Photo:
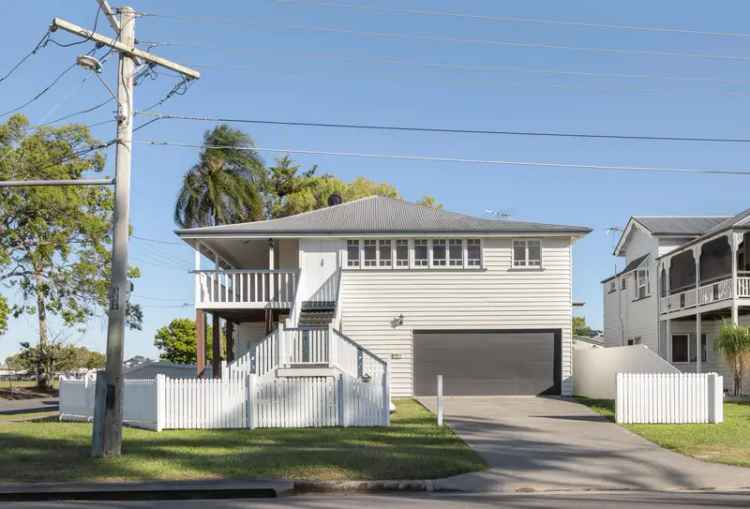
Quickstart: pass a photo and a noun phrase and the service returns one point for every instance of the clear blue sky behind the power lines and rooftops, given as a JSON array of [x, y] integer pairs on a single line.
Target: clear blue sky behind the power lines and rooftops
[[299, 60]]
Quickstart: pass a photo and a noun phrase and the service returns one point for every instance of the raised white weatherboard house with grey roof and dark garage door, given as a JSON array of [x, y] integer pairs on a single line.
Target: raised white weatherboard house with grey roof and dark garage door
[[487, 303]]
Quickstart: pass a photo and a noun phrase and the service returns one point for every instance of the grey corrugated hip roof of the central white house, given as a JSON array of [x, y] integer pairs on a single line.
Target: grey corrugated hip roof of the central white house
[[379, 215]]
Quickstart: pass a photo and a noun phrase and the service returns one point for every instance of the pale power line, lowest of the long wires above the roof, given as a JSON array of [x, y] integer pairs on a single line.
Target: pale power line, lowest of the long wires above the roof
[[491, 162]]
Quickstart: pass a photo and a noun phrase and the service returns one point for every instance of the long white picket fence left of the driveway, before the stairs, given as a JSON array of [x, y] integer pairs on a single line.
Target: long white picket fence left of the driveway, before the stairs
[[241, 401]]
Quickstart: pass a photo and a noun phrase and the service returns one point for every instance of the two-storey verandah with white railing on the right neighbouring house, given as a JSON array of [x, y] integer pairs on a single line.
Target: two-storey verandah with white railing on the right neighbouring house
[[701, 284]]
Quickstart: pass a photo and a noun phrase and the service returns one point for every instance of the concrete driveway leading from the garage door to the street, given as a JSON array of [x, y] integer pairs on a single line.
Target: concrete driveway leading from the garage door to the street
[[540, 444]]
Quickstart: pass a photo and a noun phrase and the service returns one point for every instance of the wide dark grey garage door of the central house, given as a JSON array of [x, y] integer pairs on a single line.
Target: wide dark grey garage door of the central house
[[483, 363]]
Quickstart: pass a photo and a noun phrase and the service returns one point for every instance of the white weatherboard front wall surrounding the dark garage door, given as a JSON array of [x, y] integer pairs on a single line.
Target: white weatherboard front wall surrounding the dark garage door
[[494, 296]]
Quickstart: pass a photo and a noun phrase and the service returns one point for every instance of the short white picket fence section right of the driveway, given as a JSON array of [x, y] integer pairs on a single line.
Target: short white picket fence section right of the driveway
[[667, 398]]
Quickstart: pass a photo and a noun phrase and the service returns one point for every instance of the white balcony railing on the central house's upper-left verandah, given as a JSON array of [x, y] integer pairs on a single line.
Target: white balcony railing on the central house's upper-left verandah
[[246, 288]]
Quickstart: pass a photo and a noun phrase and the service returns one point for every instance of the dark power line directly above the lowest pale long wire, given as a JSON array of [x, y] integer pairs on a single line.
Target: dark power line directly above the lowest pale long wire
[[554, 134]]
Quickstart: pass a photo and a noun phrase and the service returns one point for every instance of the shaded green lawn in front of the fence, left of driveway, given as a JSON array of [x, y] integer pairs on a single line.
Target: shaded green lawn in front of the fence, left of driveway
[[412, 448]]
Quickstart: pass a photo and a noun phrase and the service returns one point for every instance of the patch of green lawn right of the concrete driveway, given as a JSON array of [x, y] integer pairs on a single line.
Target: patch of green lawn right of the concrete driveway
[[728, 442]]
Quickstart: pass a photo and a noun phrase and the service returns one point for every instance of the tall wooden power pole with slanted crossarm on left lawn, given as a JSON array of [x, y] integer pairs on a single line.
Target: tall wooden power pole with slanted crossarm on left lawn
[[107, 435]]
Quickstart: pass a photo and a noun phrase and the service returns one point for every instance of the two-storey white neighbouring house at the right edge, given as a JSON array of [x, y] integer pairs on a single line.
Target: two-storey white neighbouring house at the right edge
[[683, 276]]
